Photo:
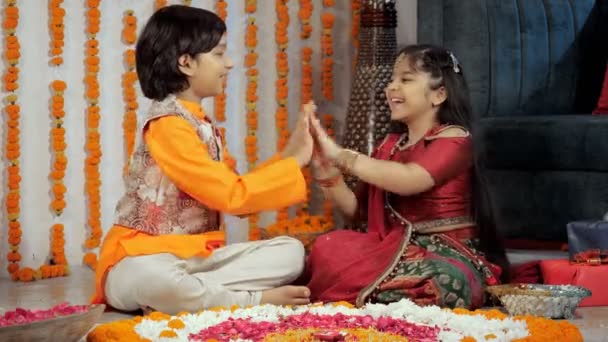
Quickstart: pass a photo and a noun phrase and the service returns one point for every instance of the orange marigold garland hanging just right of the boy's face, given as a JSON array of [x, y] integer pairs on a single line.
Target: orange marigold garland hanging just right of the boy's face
[[251, 41]]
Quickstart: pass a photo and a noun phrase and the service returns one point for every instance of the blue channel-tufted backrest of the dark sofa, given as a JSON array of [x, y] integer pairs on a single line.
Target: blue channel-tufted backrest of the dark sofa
[[523, 58]]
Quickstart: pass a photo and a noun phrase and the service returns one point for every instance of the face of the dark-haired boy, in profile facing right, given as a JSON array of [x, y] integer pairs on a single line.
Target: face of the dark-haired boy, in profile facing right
[[207, 72]]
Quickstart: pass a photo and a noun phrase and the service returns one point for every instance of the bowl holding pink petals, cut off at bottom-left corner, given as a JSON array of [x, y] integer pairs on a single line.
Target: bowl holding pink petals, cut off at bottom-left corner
[[69, 328]]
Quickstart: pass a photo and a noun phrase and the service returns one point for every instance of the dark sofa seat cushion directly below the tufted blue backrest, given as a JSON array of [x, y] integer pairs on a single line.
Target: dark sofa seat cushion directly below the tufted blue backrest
[[560, 143]]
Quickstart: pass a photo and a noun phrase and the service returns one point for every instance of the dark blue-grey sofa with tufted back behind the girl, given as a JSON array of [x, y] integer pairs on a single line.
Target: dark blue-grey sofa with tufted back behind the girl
[[535, 70]]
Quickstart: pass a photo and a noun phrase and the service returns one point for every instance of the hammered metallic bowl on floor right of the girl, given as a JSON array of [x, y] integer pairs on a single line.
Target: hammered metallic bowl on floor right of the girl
[[550, 301]]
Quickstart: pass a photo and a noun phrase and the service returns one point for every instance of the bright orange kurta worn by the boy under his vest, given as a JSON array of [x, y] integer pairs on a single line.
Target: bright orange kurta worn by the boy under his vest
[[180, 154]]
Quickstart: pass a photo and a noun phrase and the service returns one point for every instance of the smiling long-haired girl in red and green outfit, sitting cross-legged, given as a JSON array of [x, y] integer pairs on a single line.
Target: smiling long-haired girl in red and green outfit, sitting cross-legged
[[431, 235]]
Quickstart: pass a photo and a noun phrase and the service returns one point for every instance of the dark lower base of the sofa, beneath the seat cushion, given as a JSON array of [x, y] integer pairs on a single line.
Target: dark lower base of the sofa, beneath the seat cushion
[[537, 205]]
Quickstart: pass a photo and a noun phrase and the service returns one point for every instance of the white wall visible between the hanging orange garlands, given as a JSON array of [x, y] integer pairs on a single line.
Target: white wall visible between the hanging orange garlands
[[35, 77]]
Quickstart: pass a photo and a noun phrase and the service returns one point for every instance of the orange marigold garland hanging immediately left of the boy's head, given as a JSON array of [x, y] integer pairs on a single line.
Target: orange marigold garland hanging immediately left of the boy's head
[[129, 79]]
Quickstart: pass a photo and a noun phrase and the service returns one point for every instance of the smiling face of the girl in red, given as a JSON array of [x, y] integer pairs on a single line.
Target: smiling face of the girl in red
[[410, 92]]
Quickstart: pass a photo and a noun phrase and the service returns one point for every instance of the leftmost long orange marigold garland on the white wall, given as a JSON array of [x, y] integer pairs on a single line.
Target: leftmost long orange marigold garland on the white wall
[[12, 110]]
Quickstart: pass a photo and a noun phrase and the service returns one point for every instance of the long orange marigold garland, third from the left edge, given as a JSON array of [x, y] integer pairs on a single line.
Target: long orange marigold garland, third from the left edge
[[93, 147]]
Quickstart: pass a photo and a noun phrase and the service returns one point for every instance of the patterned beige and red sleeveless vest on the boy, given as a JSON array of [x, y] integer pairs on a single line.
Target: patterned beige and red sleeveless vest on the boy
[[152, 203]]
